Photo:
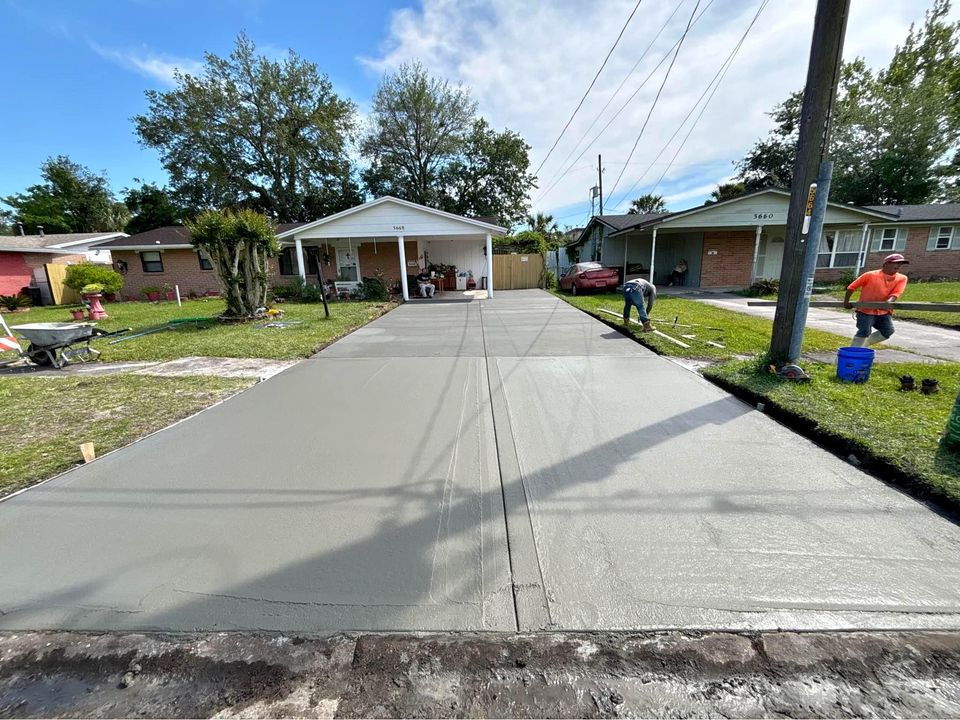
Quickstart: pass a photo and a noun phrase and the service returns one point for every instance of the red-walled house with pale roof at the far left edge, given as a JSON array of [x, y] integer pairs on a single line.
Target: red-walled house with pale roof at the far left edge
[[23, 257]]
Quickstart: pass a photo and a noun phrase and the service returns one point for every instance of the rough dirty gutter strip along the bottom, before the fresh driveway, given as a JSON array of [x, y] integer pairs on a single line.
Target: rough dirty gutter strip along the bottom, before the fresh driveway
[[670, 675]]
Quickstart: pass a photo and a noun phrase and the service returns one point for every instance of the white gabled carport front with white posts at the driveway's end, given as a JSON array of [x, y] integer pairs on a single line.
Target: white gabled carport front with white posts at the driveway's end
[[376, 227]]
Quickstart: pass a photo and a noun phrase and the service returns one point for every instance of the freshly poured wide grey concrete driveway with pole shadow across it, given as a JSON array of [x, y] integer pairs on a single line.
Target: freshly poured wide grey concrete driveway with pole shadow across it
[[498, 465]]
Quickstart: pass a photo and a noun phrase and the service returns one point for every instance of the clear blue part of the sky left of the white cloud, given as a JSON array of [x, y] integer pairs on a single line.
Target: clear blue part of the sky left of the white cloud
[[72, 82]]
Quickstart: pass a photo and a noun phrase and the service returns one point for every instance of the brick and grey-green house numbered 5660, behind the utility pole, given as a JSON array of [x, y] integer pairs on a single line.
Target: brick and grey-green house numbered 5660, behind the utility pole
[[733, 242]]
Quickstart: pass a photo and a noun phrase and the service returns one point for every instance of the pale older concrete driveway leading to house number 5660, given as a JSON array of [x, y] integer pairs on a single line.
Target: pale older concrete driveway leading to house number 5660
[[924, 340]]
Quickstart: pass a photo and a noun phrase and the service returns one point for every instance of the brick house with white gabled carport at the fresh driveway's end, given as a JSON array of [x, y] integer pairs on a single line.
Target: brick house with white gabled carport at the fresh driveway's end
[[386, 236]]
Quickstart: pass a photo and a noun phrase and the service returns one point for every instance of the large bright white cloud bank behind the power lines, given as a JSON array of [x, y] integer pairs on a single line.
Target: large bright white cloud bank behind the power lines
[[528, 63]]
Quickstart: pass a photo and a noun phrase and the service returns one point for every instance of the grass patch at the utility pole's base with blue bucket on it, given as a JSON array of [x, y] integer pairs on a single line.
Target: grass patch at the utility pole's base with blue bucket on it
[[902, 429]]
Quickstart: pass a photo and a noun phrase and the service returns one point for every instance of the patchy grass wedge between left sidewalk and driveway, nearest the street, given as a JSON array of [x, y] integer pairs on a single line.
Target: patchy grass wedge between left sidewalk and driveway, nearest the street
[[44, 420]]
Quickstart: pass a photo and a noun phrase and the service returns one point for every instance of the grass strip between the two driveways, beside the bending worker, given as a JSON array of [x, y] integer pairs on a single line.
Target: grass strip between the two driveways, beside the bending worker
[[739, 334]]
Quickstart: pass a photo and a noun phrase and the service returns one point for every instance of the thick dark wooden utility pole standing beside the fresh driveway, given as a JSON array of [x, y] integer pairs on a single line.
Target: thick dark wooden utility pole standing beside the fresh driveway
[[823, 73]]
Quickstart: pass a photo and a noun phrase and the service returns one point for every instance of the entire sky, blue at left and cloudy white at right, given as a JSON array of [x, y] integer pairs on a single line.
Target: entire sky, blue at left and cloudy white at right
[[76, 72]]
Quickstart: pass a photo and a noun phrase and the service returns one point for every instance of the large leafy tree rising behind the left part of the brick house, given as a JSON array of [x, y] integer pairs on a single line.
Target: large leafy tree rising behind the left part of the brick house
[[257, 133]]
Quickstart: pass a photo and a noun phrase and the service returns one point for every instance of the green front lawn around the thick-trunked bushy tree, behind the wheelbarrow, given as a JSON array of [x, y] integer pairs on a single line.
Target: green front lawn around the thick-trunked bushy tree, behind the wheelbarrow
[[216, 339]]
